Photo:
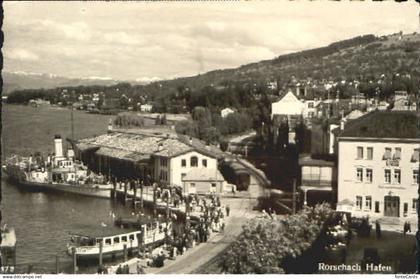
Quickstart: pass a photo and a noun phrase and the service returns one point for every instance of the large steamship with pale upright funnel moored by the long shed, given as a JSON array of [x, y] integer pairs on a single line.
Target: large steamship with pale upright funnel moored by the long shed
[[59, 173]]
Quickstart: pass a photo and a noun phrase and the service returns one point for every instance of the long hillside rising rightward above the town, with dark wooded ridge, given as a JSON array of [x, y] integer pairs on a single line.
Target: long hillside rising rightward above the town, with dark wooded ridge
[[358, 58]]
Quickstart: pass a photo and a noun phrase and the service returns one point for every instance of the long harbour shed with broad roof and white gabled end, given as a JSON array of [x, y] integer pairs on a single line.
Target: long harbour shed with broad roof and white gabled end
[[151, 154]]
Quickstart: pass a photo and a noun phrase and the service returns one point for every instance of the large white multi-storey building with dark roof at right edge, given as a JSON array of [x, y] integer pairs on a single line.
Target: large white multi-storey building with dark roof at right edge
[[378, 165]]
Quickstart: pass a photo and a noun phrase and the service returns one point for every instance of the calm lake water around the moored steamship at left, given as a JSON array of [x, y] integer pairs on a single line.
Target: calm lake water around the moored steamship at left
[[43, 221]]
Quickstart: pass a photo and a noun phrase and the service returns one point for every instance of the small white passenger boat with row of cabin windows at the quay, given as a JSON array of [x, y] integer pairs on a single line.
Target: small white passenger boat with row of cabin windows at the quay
[[87, 247]]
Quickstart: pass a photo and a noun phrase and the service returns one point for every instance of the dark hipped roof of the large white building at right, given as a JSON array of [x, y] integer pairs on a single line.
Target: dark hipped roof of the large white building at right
[[384, 124]]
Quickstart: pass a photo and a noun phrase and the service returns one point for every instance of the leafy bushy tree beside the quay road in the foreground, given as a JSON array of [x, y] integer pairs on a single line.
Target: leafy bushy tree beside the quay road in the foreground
[[266, 243]]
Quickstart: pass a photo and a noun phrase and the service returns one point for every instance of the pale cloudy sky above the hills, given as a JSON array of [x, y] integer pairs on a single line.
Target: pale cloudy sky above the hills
[[146, 41]]
